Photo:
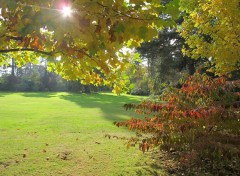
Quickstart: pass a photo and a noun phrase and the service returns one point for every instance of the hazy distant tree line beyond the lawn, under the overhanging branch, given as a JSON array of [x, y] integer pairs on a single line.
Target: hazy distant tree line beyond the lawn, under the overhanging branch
[[35, 77]]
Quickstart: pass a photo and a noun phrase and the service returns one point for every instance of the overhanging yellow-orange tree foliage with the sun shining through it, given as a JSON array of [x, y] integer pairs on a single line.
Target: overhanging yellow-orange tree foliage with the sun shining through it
[[89, 38]]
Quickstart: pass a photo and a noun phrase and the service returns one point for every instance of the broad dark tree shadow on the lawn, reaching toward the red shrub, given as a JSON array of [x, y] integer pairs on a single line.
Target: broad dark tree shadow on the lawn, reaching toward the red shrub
[[111, 105]]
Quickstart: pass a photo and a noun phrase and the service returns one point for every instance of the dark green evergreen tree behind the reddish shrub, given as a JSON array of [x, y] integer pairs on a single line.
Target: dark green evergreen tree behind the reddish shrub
[[166, 64]]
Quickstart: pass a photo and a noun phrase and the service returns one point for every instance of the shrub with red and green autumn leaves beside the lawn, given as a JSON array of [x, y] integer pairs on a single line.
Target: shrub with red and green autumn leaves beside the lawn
[[182, 116]]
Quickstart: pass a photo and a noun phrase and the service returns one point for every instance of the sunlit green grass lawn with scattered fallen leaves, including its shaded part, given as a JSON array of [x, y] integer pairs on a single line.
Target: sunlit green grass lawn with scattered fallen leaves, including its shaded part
[[51, 134]]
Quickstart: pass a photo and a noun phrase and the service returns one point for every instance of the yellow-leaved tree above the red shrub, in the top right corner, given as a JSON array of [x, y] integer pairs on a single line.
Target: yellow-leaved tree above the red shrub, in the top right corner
[[211, 29]]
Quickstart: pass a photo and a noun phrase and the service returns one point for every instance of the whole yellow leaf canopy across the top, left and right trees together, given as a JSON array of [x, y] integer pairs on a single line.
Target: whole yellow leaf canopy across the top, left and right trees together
[[86, 44]]
